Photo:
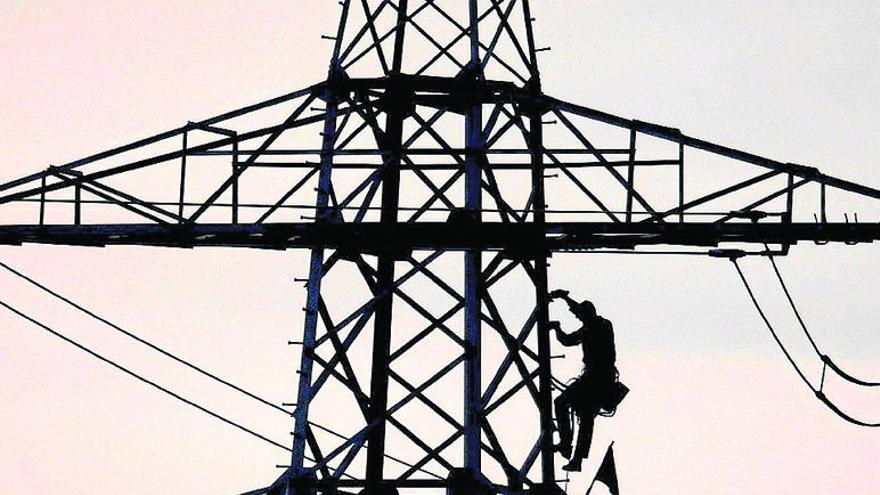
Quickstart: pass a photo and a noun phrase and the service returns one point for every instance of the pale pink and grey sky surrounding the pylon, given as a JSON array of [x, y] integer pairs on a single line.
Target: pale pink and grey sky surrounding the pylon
[[714, 409]]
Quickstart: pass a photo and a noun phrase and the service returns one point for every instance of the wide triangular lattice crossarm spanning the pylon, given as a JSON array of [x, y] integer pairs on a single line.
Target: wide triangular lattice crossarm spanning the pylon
[[98, 200]]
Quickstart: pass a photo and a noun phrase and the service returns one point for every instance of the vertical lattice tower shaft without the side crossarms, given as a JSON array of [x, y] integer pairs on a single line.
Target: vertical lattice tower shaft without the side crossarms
[[393, 89]]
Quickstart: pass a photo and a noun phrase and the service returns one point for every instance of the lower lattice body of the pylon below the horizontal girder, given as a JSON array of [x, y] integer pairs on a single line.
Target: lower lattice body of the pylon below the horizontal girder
[[512, 387]]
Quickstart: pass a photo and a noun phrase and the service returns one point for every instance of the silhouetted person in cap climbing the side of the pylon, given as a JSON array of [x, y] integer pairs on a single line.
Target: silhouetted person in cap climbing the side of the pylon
[[596, 389]]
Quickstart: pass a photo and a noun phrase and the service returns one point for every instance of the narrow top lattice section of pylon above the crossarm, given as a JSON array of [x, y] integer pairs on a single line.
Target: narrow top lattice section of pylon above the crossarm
[[378, 38]]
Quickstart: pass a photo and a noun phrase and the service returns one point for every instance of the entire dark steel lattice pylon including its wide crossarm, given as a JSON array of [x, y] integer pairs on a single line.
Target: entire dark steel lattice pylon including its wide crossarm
[[438, 162]]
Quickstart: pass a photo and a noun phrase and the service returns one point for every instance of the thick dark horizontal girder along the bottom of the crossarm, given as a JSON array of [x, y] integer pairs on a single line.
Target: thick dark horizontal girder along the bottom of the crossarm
[[525, 239]]
